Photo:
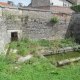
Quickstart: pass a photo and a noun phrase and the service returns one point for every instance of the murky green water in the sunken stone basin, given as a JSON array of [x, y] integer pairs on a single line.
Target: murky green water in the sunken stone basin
[[58, 57]]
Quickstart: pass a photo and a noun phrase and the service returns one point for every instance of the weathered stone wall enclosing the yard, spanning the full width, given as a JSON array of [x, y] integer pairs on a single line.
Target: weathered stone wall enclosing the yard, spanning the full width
[[38, 25]]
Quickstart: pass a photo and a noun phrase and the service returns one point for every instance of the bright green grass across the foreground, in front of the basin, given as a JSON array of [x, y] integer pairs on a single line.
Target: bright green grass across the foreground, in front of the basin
[[37, 68]]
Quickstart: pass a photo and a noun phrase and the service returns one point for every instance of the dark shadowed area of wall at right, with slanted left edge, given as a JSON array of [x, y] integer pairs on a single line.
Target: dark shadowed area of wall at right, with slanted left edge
[[74, 27]]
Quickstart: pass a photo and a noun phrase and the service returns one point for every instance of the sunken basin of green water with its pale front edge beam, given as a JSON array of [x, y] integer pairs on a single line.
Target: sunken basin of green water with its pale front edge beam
[[64, 58]]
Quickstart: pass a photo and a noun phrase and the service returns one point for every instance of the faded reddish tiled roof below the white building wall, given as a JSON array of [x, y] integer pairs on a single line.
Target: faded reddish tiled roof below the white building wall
[[61, 9]]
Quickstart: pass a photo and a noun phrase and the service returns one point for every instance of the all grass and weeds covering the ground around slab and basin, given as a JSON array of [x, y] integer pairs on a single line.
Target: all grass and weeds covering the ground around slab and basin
[[38, 67]]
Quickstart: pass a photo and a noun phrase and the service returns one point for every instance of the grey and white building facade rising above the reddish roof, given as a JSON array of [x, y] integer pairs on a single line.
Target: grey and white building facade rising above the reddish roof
[[37, 3]]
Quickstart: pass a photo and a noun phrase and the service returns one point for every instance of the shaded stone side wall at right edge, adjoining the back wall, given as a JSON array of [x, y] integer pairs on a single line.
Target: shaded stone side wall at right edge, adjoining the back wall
[[75, 26]]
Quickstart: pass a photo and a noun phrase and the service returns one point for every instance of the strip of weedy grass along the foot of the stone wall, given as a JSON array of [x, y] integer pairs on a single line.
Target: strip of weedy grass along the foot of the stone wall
[[25, 46]]
